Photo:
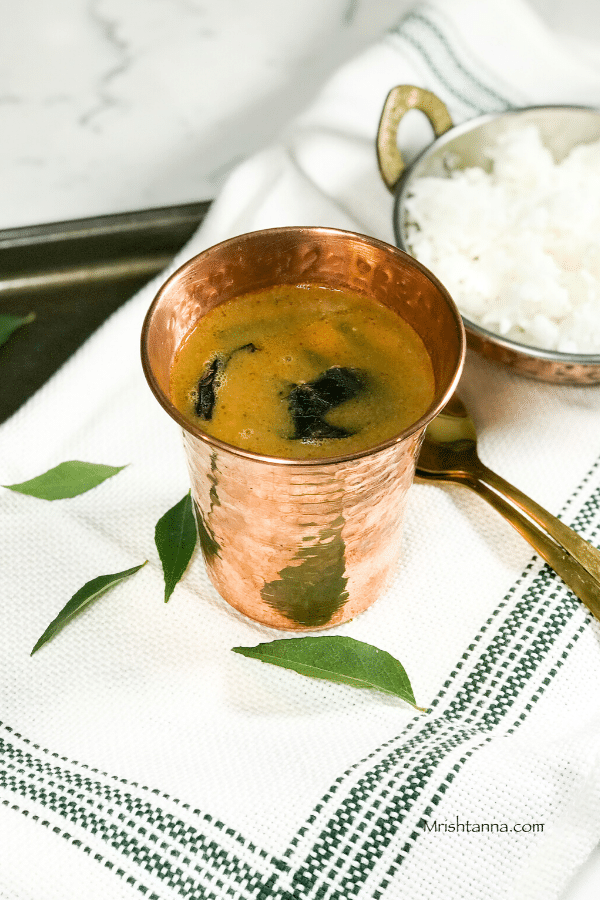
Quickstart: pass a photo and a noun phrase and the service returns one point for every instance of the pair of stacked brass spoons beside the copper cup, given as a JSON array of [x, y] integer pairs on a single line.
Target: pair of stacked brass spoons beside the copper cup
[[449, 453]]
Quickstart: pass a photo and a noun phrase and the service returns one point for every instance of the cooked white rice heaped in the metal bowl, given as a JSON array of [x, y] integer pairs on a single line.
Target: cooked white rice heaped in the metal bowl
[[518, 248]]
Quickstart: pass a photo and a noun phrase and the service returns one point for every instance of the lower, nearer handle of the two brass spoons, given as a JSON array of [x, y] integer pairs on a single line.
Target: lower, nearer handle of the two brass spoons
[[583, 584]]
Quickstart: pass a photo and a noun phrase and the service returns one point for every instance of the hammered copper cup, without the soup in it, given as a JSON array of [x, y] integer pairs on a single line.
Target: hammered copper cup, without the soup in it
[[301, 545]]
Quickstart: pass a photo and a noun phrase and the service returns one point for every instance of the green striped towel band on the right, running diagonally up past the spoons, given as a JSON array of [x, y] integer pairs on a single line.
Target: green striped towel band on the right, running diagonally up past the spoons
[[530, 636]]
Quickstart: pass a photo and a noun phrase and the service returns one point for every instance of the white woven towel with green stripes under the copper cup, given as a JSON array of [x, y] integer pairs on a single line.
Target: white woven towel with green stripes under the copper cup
[[140, 757]]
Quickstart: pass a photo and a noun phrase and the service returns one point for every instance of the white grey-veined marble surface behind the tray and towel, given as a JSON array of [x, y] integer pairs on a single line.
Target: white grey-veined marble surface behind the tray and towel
[[115, 105]]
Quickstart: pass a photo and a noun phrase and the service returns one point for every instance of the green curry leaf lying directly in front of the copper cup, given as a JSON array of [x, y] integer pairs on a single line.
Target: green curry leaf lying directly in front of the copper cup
[[340, 659]]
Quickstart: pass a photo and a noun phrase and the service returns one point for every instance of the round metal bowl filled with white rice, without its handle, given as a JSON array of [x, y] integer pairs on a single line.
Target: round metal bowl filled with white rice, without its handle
[[505, 211]]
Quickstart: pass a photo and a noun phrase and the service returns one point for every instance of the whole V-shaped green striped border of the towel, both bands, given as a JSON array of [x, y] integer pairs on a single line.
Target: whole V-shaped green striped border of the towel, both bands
[[155, 842]]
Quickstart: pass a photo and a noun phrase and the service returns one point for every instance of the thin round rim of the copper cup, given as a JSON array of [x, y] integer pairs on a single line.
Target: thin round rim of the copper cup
[[421, 422]]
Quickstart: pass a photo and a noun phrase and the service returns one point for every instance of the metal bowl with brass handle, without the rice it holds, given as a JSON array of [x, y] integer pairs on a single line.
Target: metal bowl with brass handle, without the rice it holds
[[561, 127]]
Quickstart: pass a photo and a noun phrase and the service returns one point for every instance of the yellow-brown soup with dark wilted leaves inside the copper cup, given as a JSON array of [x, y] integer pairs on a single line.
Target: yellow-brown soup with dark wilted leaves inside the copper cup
[[302, 372]]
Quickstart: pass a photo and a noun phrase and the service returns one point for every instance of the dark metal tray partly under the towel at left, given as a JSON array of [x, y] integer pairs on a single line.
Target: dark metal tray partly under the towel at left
[[73, 275]]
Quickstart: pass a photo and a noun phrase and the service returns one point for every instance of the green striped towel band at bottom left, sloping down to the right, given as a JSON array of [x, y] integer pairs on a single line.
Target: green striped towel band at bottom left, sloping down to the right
[[142, 834]]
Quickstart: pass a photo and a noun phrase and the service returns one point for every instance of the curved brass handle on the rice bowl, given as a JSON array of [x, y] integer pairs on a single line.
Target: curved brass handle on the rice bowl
[[398, 102]]
